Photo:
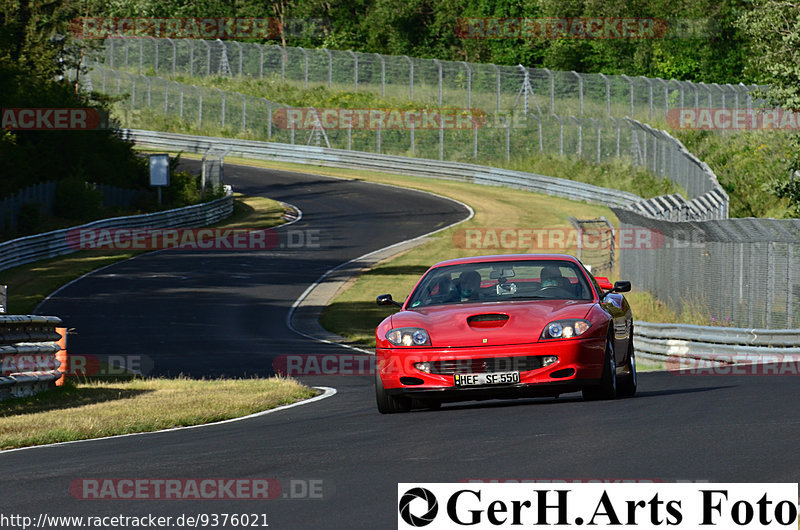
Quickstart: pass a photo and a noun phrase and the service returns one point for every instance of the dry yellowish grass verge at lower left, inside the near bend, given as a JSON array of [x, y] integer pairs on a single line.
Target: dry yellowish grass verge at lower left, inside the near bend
[[94, 409]]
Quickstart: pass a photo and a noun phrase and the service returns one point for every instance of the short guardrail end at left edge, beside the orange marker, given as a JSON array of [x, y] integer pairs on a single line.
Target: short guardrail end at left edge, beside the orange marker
[[28, 348]]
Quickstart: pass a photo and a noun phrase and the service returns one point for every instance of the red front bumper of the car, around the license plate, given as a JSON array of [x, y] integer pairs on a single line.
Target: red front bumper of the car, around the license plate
[[579, 363]]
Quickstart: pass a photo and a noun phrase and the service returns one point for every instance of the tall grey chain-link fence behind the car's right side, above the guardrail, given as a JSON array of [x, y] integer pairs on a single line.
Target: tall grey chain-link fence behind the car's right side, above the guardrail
[[744, 272]]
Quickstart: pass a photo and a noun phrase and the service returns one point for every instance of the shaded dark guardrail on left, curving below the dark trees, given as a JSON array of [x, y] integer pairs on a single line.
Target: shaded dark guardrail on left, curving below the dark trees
[[51, 244]]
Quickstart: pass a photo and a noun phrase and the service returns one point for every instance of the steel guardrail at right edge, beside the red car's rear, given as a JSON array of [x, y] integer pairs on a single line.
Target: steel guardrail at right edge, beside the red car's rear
[[723, 345]]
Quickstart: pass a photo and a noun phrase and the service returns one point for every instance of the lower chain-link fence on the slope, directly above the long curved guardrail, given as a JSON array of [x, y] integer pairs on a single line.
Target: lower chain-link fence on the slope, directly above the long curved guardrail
[[492, 139]]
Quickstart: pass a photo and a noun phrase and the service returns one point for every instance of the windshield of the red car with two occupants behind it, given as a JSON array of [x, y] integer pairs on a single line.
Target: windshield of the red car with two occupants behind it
[[500, 281]]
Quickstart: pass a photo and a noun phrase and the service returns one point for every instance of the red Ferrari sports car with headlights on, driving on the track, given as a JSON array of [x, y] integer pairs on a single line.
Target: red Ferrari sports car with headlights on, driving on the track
[[502, 327]]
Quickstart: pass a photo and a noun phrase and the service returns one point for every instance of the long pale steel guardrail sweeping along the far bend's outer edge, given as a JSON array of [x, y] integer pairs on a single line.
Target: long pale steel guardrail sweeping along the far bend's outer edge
[[303, 154]]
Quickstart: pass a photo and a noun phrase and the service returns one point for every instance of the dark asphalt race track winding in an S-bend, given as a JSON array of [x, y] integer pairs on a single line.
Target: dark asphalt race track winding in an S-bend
[[209, 313]]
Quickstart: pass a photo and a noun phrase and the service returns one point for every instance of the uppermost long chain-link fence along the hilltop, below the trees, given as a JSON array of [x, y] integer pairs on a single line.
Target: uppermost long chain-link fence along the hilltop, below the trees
[[490, 87]]
